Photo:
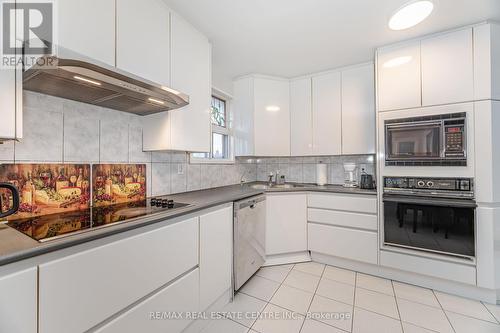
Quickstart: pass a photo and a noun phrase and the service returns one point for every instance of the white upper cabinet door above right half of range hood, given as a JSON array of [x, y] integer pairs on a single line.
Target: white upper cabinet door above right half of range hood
[[143, 39]]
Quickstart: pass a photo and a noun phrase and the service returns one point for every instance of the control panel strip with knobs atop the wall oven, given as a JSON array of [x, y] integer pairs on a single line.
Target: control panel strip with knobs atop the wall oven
[[432, 184]]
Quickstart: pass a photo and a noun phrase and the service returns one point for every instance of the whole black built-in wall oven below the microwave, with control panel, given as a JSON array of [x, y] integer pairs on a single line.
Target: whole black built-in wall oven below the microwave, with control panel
[[430, 214]]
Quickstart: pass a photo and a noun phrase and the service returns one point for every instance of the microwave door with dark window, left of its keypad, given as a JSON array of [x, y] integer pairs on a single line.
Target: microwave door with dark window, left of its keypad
[[415, 141]]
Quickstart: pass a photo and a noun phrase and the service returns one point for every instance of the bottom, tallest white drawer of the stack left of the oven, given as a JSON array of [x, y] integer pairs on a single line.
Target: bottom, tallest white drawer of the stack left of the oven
[[345, 243]]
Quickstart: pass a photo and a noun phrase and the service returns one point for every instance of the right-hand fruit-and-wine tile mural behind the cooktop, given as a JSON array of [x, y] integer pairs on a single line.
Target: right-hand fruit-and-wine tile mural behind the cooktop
[[118, 183]]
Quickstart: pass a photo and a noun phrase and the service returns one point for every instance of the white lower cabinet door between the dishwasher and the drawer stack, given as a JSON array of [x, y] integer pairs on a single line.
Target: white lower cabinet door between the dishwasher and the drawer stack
[[286, 223]]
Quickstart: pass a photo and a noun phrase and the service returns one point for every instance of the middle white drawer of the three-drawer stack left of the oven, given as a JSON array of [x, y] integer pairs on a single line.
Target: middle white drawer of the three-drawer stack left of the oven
[[342, 219]]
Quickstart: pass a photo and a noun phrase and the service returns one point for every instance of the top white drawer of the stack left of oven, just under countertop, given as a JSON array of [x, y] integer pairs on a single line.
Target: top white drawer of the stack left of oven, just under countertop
[[353, 203]]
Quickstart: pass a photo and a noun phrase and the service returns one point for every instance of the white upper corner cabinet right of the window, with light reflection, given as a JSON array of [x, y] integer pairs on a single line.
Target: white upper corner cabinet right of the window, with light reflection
[[266, 100]]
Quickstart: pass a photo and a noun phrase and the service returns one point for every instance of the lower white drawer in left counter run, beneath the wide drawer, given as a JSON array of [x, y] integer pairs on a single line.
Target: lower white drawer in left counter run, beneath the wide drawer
[[180, 297]]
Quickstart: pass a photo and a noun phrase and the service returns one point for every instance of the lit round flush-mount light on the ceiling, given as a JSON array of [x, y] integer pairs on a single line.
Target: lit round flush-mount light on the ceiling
[[411, 14]]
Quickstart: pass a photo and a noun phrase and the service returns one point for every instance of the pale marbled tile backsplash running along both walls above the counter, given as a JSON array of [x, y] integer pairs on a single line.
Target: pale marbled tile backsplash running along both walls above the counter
[[60, 130]]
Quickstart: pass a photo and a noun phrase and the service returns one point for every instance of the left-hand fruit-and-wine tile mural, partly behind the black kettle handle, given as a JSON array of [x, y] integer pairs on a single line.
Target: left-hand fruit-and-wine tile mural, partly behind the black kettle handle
[[48, 188]]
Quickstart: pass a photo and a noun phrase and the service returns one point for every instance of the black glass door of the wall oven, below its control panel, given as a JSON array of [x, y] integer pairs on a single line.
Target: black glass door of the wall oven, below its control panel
[[445, 226]]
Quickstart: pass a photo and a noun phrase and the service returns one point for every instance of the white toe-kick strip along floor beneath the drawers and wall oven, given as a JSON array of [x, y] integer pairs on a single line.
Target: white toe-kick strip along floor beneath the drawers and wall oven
[[464, 290]]
